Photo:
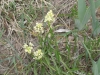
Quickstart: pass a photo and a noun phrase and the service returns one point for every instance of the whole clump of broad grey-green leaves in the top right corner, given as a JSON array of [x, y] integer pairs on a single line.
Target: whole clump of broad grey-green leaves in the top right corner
[[84, 14]]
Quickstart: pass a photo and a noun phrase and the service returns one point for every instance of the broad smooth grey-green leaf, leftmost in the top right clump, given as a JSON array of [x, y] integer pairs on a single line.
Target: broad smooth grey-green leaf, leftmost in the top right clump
[[83, 15]]
